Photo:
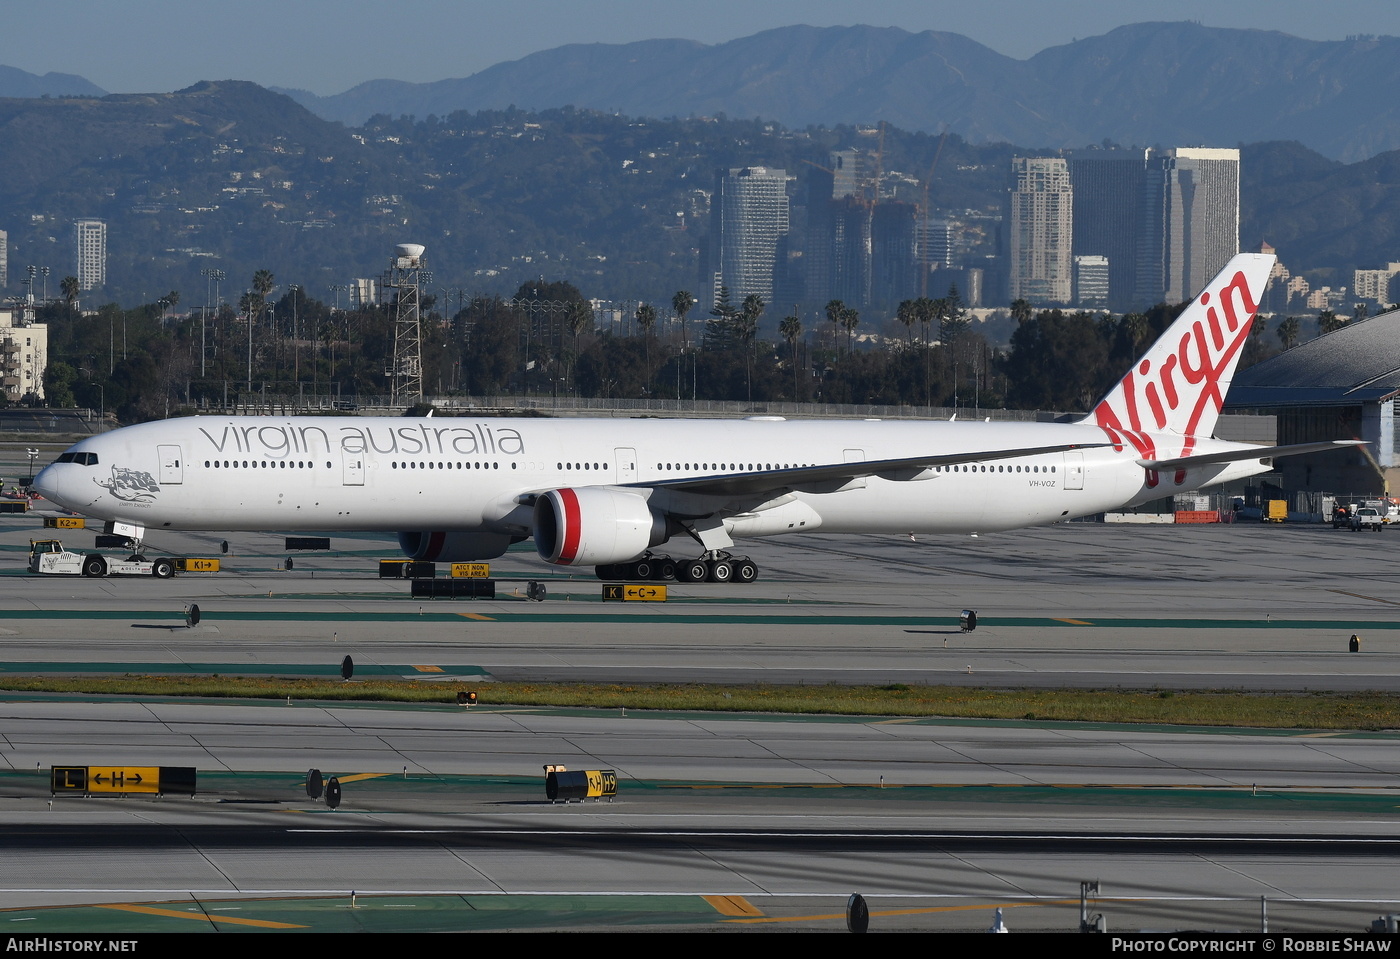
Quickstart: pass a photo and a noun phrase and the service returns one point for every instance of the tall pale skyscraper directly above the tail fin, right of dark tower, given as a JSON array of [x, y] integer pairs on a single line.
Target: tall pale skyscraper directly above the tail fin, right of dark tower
[[1191, 222]]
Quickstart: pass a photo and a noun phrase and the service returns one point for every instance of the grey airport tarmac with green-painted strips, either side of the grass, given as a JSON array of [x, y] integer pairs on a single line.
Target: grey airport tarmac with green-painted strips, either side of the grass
[[776, 820]]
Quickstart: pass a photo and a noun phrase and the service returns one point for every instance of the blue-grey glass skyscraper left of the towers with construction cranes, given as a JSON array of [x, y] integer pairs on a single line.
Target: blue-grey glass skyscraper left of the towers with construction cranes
[[750, 216]]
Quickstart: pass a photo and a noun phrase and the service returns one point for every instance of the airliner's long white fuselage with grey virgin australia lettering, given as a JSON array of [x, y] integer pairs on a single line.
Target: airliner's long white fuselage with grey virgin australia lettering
[[381, 474]]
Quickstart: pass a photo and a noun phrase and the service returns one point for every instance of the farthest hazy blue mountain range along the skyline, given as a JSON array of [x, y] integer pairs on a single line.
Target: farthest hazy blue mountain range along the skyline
[[1144, 85]]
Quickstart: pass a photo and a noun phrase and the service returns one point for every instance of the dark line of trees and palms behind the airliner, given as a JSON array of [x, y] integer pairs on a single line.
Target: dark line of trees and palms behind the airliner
[[148, 363]]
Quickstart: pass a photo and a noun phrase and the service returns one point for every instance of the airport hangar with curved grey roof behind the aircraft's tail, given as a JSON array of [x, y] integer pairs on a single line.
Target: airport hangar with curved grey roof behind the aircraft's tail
[[1342, 386]]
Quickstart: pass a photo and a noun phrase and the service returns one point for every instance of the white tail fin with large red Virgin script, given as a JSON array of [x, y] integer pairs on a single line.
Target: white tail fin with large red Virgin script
[[1179, 387]]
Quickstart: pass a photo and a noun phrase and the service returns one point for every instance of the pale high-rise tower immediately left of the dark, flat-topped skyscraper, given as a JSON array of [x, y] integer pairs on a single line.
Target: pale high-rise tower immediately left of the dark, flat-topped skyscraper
[[1042, 230]]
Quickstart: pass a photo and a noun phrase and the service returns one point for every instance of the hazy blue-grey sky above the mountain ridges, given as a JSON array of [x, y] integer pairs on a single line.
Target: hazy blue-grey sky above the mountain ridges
[[331, 45]]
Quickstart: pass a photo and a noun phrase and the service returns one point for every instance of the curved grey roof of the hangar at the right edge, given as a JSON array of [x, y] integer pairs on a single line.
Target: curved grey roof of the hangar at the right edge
[[1353, 366]]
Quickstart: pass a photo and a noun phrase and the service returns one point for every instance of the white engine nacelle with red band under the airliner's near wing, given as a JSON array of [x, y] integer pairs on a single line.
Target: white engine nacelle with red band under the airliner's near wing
[[594, 526]]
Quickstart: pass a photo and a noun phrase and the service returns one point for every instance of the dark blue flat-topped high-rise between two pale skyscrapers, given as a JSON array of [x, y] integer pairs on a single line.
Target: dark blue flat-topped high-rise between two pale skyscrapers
[[1108, 206]]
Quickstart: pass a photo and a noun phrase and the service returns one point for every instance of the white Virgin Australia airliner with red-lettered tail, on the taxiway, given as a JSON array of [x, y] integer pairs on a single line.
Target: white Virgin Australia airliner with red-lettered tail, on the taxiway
[[610, 492]]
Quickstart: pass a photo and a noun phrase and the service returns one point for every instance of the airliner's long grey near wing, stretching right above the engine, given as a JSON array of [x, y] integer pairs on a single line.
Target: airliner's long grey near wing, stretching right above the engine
[[827, 478]]
